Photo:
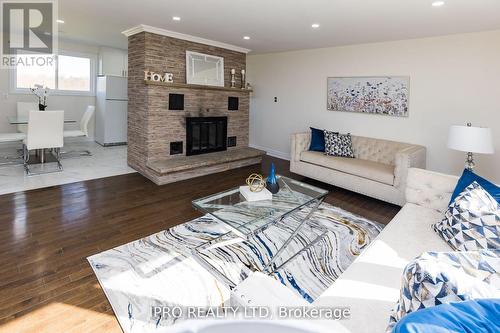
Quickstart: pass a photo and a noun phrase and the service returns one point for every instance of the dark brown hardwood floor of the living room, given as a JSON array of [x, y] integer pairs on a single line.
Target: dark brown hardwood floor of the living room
[[46, 284]]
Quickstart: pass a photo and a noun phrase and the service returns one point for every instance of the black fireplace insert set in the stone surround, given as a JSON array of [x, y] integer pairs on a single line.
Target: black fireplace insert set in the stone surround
[[205, 135]]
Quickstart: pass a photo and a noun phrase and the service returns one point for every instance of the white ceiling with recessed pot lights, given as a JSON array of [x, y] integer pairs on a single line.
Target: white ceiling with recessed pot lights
[[277, 25]]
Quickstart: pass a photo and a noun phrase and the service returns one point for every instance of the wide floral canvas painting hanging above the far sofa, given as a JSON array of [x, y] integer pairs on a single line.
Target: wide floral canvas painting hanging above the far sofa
[[385, 95]]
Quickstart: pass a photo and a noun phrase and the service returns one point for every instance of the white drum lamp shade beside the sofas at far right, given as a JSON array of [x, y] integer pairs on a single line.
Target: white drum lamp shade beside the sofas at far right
[[471, 139]]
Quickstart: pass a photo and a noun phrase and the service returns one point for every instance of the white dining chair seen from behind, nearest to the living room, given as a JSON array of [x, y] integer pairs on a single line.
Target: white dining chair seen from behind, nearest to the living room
[[45, 131]]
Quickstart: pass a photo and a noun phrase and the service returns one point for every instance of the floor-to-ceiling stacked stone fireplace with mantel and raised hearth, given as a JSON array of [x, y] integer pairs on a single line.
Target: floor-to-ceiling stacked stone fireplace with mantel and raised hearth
[[178, 130]]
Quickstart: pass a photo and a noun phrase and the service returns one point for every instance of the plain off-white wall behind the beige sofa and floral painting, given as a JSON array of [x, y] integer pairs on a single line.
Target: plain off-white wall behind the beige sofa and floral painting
[[453, 80]]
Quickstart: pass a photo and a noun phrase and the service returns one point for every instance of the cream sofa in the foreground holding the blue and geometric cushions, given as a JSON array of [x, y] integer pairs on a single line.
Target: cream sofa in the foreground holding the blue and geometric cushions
[[370, 286]]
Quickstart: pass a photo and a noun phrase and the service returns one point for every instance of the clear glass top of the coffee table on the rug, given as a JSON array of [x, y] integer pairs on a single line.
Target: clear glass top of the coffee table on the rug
[[245, 217]]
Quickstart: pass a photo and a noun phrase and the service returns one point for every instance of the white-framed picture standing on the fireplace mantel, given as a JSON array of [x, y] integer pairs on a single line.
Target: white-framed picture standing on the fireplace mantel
[[204, 69]]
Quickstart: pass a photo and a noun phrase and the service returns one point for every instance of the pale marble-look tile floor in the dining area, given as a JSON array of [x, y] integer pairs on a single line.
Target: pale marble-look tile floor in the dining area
[[104, 162]]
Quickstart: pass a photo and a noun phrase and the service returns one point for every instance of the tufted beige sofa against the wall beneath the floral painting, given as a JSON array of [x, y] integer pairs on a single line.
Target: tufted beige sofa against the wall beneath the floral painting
[[378, 170]]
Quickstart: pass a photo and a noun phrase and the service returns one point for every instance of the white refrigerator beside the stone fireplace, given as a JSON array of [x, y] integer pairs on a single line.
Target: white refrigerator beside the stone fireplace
[[111, 111]]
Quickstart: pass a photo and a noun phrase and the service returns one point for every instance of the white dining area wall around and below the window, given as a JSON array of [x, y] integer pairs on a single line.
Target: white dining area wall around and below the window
[[74, 106]]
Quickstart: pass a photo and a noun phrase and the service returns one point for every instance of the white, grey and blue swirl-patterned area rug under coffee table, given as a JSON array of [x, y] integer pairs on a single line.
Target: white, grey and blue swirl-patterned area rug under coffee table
[[159, 271]]
